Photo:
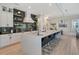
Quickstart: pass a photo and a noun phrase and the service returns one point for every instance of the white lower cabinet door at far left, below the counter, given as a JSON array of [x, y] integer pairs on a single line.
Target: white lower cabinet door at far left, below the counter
[[4, 40]]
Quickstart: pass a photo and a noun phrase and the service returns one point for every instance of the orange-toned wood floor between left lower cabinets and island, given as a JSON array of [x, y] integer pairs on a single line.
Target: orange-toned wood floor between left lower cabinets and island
[[14, 49]]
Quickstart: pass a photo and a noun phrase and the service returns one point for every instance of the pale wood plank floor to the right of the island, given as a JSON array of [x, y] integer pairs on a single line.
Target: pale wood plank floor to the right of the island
[[67, 46]]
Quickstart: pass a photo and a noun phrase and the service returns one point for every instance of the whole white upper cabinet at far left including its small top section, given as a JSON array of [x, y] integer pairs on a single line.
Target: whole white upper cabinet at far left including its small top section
[[6, 17]]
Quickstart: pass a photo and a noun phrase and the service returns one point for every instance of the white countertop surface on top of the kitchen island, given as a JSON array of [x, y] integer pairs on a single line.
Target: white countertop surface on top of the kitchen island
[[41, 34]]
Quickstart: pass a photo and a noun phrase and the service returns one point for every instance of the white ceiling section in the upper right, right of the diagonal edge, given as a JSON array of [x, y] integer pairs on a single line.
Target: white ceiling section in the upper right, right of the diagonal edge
[[70, 8]]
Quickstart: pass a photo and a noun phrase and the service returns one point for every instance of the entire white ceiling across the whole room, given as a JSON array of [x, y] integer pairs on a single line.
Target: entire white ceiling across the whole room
[[55, 9]]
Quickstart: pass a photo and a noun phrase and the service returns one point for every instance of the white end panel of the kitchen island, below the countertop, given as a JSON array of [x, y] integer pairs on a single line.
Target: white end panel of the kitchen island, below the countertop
[[31, 45]]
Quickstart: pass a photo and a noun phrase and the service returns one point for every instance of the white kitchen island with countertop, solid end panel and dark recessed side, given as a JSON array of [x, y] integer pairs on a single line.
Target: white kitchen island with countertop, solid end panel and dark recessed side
[[32, 43]]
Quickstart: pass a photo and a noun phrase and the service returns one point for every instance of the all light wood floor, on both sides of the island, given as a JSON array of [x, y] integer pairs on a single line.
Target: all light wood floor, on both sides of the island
[[68, 45]]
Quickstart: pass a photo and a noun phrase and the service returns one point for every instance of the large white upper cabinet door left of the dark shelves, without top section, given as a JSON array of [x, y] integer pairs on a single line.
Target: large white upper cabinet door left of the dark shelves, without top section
[[6, 19]]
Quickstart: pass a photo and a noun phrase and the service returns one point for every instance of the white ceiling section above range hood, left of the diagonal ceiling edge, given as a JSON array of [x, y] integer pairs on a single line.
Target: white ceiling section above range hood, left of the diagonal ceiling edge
[[44, 9]]
